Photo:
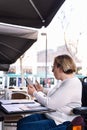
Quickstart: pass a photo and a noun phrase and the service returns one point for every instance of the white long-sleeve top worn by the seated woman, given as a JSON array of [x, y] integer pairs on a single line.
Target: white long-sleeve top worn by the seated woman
[[62, 98]]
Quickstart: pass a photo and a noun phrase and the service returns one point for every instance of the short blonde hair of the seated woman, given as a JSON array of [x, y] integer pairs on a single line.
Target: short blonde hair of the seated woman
[[66, 63]]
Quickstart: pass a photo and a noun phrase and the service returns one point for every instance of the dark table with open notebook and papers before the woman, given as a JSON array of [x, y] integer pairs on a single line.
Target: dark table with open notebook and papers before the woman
[[16, 107]]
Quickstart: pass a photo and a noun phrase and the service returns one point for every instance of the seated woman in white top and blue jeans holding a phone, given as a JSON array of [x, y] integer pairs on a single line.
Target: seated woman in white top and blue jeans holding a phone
[[65, 96]]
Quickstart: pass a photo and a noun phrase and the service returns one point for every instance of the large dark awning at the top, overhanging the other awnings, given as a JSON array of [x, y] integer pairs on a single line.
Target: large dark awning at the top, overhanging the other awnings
[[30, 13]]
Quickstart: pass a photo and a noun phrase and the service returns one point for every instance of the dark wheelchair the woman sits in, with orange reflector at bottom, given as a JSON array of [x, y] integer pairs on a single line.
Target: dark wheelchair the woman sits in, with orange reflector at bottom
[[80, 122]]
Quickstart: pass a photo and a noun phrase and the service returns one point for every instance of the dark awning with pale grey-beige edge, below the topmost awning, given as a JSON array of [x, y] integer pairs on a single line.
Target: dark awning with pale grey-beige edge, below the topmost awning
[[14, 41]]
